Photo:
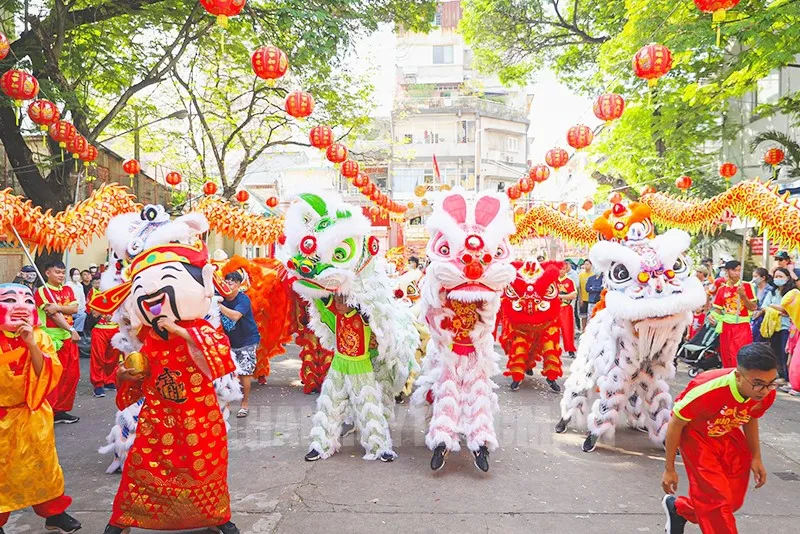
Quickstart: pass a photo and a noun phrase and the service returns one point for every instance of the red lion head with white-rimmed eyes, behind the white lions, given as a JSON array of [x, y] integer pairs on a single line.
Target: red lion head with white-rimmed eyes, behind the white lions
[[532, 298]]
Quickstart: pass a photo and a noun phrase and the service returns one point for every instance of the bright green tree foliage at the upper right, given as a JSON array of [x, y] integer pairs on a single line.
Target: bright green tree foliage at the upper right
[[678, 127]]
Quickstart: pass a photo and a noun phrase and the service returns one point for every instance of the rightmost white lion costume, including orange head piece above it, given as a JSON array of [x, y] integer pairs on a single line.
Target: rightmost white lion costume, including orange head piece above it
[[626, 356]]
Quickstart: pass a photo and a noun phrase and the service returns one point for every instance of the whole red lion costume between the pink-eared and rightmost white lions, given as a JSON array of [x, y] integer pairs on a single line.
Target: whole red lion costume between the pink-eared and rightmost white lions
[[529, 322]]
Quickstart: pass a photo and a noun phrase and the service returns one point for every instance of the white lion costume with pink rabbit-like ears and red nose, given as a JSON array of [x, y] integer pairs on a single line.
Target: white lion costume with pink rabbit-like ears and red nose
[[470, 265]]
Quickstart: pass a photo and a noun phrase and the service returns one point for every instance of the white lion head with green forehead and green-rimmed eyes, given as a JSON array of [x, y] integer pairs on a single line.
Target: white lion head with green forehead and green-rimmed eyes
[[327, 245]]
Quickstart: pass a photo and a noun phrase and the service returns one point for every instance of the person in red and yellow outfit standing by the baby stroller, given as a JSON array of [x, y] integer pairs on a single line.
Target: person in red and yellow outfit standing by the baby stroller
[[733, 303]]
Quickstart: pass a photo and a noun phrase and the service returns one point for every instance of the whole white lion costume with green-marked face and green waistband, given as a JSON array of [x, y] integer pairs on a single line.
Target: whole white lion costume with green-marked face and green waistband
[[332, 260]]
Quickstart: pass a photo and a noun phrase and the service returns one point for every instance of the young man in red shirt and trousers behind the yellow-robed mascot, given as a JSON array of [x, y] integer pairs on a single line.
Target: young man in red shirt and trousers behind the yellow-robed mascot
[[58, 303]]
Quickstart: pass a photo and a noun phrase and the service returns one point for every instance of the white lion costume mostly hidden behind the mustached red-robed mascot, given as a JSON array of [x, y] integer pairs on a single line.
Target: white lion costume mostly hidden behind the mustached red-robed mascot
[[130, 234]]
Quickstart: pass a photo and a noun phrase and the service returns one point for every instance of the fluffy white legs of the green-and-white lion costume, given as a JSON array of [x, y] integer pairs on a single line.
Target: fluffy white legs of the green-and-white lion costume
[[362, 394]]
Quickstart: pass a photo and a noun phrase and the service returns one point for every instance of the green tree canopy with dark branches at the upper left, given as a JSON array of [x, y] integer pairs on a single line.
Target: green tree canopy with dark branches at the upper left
[[98, 57]]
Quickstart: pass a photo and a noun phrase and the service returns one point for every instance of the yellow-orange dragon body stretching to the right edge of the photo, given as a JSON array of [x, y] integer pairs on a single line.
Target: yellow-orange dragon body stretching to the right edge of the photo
[[752, 199]]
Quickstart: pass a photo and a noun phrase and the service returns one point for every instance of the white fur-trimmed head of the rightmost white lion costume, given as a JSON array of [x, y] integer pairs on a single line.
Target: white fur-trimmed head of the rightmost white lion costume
[[648, 278]]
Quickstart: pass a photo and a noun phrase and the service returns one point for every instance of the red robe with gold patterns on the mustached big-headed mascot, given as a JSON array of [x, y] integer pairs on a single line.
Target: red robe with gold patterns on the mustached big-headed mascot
[[176, 476]]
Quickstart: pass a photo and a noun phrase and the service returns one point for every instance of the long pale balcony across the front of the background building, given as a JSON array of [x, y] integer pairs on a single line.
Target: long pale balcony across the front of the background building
[[461, 104]]
